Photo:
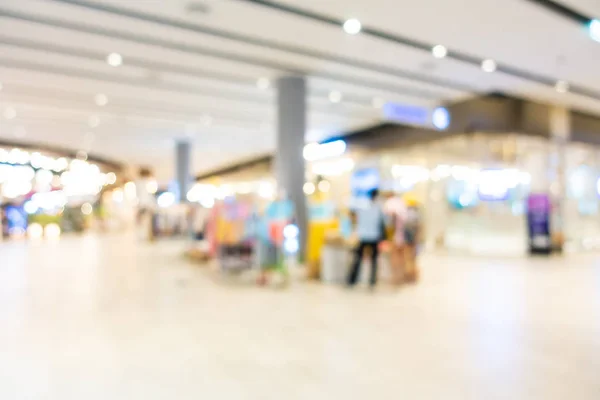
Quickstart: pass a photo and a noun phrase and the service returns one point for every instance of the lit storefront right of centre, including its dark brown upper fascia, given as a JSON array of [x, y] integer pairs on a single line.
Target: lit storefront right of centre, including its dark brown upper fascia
[[473, 180]]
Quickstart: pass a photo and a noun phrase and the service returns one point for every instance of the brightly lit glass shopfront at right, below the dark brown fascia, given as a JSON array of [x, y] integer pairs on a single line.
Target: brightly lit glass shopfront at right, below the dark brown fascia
[[474, 189]]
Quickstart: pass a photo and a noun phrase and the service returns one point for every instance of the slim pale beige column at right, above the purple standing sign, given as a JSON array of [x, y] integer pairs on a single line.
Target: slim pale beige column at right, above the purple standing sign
[[560, 134]]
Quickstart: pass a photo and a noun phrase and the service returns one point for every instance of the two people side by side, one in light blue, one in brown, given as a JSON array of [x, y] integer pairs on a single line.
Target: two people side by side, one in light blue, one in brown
[[396, 221]]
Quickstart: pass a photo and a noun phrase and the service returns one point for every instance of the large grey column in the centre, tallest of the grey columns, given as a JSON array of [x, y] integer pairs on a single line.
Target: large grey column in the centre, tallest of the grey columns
[[289, 159]]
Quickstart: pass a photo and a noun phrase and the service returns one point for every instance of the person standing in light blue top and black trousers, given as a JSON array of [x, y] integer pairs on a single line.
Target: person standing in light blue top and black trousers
[[370, 228]]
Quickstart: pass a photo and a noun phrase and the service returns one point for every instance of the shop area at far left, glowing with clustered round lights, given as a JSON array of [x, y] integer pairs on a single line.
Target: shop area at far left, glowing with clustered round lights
[[44, 192]]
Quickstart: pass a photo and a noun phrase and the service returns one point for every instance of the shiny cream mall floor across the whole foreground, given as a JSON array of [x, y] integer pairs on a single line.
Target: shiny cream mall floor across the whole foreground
[[88, 318]]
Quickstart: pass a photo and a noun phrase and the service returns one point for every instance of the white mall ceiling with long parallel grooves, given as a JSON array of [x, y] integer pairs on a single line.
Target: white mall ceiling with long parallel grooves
[[178, 81]]
